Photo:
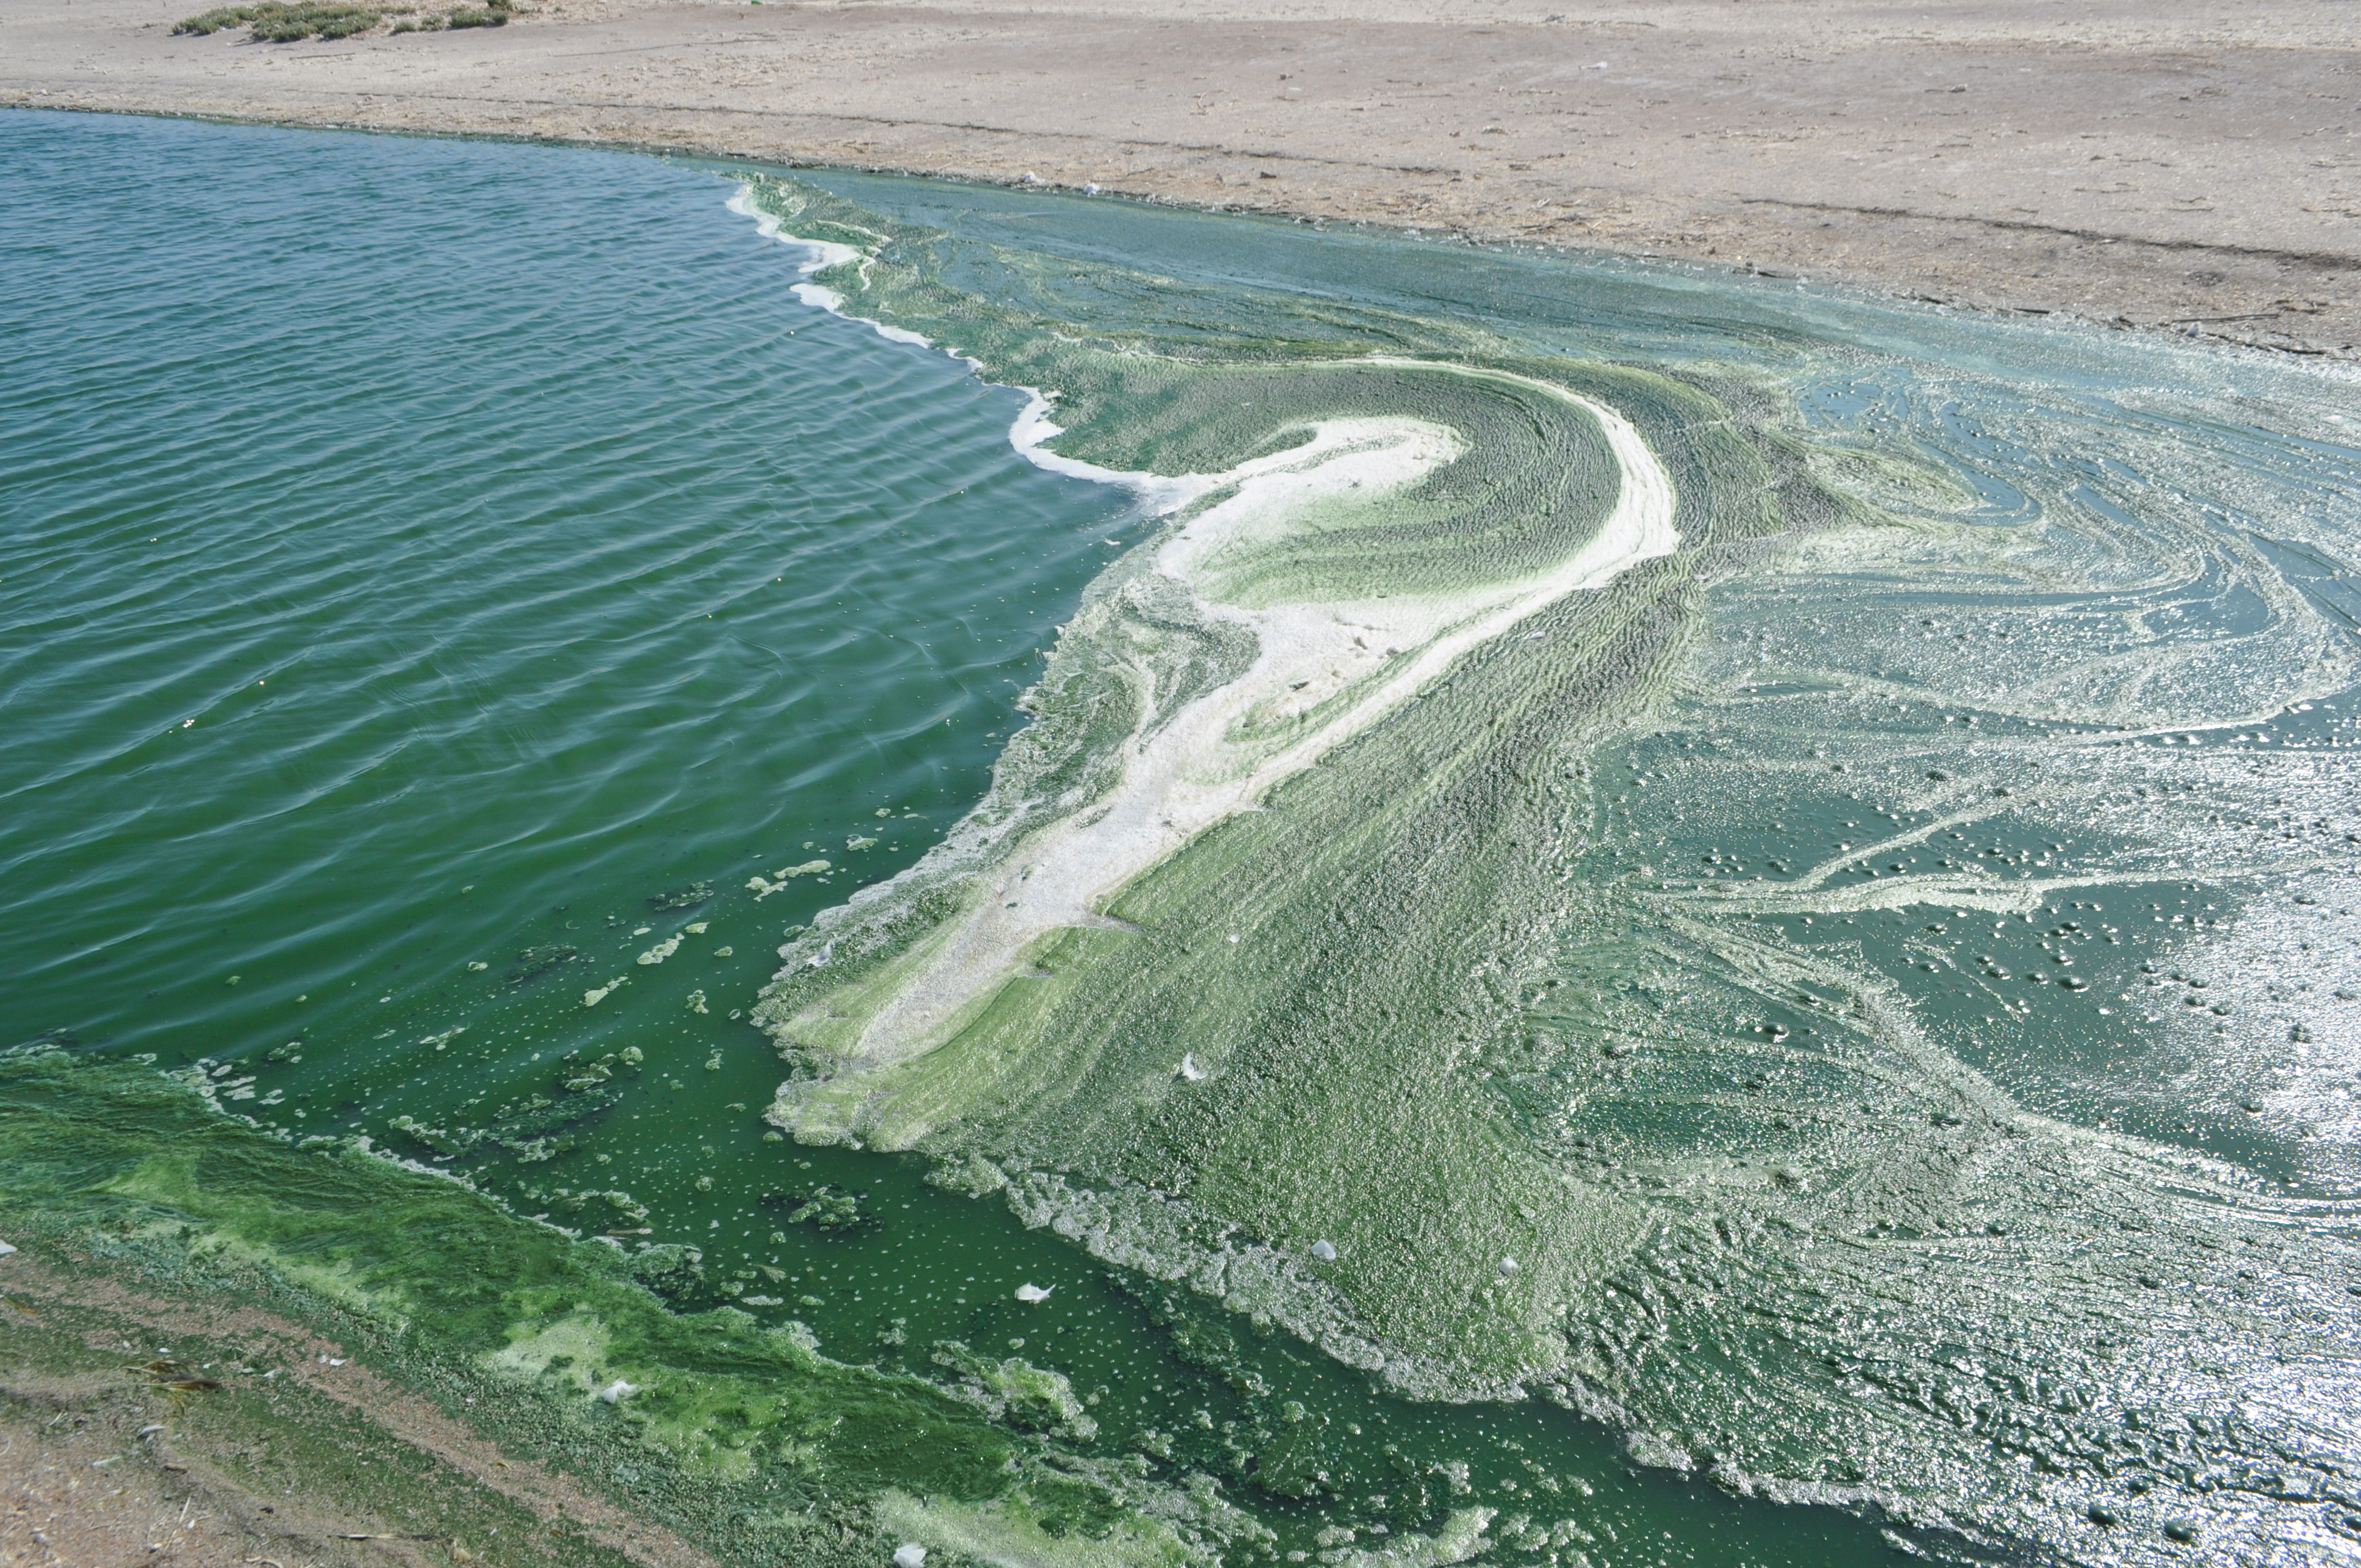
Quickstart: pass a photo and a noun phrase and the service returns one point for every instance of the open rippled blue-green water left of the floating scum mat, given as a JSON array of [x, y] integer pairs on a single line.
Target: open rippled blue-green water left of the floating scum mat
[[429, 554]]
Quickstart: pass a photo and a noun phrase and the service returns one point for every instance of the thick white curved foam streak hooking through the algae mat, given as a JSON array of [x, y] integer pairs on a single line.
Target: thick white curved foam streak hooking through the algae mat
[[1321, 674]]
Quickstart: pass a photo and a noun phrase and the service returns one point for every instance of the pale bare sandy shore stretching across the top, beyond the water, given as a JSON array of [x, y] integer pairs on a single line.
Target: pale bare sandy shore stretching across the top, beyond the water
[[2185, 166]]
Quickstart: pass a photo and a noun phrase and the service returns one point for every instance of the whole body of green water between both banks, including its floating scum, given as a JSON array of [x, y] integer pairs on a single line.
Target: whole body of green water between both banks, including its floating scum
[[476, 627]]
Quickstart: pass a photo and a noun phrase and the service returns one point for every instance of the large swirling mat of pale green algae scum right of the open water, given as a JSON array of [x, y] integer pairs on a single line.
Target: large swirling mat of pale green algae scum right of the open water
[[1493, 1050]]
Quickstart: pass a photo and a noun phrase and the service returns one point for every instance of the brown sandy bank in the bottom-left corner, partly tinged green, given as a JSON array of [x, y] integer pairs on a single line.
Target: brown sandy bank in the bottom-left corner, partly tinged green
[[150, 1432]]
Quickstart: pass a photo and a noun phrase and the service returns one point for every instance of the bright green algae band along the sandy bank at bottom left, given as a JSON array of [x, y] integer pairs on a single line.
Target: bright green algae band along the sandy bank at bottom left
[[740, 1437]]
